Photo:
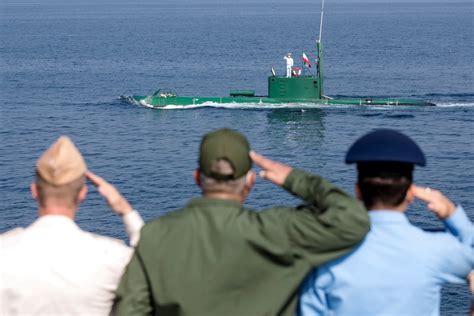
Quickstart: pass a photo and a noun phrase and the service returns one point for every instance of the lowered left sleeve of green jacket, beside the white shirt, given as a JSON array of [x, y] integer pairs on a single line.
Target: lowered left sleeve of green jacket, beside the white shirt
[[133, 293]]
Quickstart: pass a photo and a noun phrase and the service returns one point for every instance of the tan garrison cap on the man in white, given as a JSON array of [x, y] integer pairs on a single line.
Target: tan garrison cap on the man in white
[[61, 163]]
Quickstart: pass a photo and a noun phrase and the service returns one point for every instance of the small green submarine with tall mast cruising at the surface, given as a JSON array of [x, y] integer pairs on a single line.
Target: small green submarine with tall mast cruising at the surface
[[306, 88]]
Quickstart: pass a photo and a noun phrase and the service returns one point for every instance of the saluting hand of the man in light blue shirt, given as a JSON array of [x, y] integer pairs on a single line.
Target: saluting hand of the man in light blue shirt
[[437, 202]]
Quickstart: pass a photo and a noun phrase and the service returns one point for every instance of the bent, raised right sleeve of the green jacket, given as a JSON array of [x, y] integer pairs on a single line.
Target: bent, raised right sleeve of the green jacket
[[329, 225]]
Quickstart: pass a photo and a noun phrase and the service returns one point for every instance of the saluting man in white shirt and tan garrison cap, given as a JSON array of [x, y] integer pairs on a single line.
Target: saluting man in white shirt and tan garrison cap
[[52, 267]]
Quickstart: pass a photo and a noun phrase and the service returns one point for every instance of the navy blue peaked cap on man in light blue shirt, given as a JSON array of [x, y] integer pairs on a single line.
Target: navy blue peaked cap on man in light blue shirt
[[385, 145]]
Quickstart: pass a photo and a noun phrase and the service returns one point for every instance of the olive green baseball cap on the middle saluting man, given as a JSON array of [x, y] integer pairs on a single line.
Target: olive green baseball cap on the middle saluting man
[[225, 144]]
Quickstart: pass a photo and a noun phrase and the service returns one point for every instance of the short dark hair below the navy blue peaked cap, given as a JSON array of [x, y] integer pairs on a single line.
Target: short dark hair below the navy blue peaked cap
[[384, 183]]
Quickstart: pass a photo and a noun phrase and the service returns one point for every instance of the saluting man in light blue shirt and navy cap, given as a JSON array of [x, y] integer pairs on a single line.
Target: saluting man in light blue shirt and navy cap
[[398, 269]]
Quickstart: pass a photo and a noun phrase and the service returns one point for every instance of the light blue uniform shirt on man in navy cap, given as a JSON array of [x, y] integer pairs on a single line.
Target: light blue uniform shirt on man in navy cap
[[397, 270]]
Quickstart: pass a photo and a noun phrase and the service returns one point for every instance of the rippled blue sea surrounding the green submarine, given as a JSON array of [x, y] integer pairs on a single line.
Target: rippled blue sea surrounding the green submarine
[[62, 68]]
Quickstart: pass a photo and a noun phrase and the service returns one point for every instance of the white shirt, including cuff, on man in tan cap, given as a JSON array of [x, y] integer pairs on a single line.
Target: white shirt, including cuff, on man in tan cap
[[52, 267]]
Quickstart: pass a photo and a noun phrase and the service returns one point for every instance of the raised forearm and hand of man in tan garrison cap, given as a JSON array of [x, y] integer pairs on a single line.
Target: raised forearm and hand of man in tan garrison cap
[[131, 218]]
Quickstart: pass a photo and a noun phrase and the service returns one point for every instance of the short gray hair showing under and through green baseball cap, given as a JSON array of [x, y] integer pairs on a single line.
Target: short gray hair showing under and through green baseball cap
[[211, 185]]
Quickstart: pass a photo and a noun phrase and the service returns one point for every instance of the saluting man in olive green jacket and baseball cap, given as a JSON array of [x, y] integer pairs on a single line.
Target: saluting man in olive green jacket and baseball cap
[[215, 257]]
